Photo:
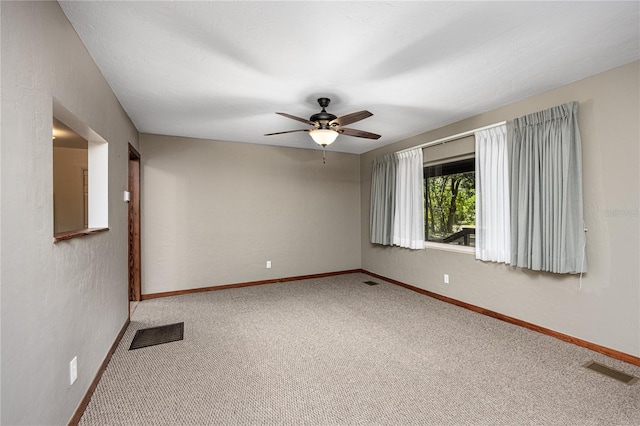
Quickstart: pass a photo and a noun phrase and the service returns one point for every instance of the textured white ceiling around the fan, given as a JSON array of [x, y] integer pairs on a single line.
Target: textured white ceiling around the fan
[[219, 70]]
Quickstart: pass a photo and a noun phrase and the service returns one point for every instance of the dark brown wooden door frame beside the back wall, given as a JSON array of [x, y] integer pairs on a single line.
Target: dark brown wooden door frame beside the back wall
[[134, 259]]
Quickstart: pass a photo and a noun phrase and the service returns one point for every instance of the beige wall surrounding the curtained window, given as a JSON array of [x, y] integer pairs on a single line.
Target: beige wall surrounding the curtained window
[[607, 309]]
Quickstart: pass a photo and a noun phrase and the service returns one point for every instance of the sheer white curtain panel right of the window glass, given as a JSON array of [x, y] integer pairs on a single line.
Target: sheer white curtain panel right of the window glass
[[493, 219]]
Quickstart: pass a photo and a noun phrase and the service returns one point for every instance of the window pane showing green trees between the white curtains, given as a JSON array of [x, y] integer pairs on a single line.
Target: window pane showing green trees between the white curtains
[[450, 202]]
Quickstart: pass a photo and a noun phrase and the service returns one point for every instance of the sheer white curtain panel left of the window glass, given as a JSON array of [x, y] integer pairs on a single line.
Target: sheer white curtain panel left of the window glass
[[408, 221]]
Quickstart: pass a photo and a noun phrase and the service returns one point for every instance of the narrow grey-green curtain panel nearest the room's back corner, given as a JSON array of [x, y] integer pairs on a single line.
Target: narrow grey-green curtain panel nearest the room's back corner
[[383, 190]]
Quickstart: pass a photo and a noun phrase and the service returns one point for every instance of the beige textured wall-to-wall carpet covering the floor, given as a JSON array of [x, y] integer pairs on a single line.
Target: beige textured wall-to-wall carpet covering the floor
[[335, 351]]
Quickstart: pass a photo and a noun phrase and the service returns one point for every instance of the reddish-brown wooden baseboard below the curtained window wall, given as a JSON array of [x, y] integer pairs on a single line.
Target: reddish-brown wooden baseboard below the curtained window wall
[[631, 359]]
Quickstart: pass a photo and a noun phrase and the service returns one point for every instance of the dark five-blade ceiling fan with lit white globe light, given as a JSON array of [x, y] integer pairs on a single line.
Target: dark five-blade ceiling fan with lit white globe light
[[327, 127]]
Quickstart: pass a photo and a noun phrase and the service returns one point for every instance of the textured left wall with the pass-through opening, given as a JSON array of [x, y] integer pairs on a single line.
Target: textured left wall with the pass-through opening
[[66, 299]]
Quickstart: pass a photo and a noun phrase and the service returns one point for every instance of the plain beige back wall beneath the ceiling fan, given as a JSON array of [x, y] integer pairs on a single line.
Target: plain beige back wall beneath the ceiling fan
[[214, 212]]
